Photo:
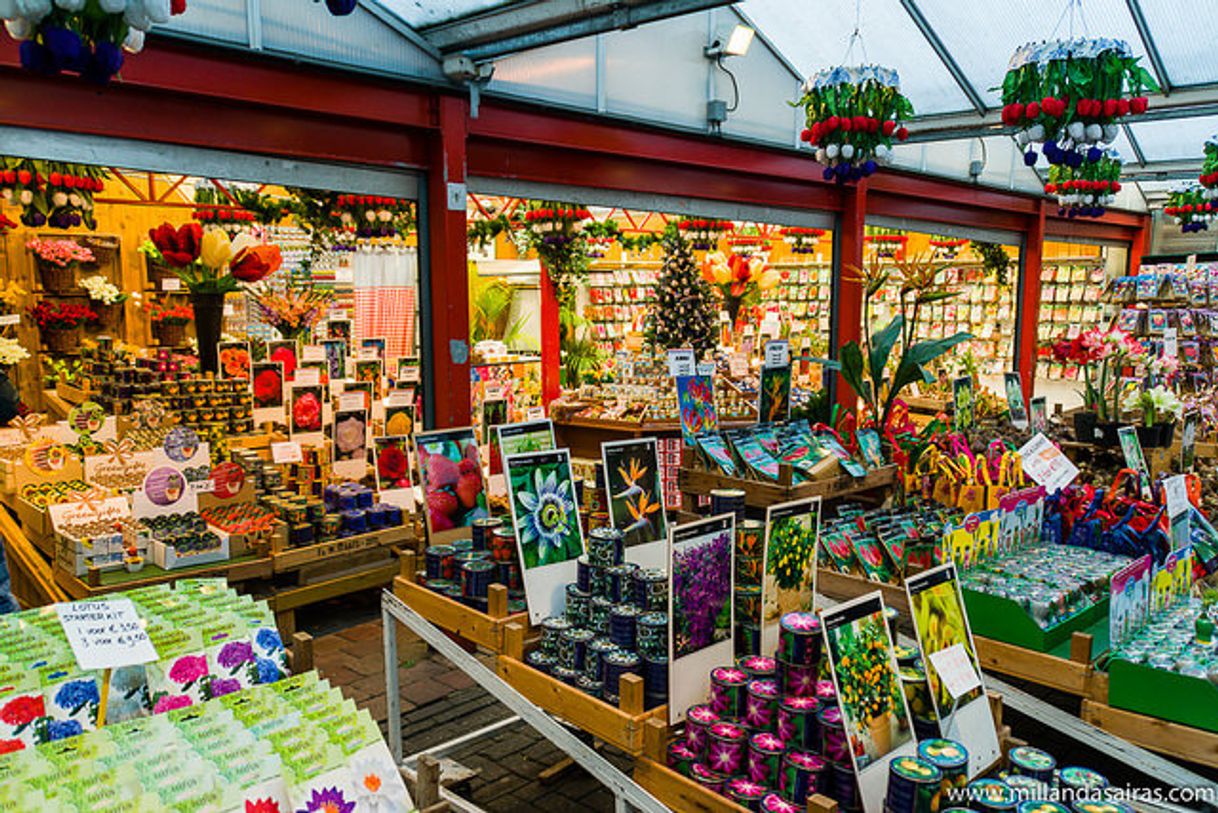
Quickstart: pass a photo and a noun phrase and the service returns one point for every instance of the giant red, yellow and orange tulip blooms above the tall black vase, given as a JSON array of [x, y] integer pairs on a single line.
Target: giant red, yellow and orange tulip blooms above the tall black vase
[[211, 263]]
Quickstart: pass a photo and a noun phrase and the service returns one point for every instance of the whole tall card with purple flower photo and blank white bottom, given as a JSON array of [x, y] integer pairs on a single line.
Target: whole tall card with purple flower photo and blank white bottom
[[702, 626]]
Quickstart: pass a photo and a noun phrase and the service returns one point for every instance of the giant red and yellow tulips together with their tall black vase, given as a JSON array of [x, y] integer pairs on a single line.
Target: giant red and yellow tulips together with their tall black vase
[[211, 265]]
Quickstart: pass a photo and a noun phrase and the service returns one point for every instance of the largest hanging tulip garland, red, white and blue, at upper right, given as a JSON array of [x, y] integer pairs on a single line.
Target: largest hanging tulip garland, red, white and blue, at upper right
[[1071, 96]]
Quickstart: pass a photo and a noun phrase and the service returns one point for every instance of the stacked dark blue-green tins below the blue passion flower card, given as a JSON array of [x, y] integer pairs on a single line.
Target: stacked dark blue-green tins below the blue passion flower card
[[616, 623]]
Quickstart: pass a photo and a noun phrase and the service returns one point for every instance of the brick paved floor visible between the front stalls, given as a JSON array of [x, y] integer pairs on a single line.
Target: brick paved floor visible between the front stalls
[[440, 704]]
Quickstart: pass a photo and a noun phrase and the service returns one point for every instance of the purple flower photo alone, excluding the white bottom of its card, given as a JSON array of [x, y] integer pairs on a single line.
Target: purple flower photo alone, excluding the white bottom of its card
[[702, 593]]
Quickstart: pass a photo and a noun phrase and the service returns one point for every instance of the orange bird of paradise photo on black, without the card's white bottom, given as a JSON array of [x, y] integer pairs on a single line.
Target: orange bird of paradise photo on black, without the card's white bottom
[[636, 495]]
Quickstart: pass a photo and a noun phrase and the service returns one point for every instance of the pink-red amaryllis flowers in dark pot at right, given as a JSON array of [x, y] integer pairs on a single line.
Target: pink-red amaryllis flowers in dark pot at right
[[1100, 355]]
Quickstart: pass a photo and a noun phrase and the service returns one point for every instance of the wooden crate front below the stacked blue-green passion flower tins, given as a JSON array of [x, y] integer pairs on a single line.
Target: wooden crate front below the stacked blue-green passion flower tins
[[619, 726]]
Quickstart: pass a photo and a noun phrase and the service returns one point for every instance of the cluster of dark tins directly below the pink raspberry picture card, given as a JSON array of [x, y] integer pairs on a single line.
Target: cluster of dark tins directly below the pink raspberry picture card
[[466, 569]]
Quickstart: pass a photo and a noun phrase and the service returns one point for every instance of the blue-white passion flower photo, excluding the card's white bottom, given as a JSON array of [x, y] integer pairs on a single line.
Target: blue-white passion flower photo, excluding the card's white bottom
[[544, 510]]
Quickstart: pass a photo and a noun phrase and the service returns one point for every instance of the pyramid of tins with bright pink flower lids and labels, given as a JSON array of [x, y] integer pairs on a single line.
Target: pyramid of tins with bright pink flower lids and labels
[[772, 734]]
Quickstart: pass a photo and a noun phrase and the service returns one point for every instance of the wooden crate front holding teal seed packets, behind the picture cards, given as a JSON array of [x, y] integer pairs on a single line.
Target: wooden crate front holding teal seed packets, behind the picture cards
[[699, 482]]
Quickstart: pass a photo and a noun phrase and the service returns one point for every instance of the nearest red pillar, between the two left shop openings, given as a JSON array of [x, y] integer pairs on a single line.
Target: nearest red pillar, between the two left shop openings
[[449, 275]]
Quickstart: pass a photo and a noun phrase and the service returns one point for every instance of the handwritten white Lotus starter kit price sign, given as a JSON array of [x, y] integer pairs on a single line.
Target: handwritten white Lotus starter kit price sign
[[105, 634]]
